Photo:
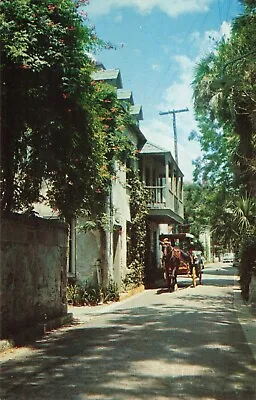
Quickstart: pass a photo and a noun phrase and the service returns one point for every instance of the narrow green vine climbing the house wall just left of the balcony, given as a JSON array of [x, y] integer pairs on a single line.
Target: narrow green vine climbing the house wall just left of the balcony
[[136, 232]]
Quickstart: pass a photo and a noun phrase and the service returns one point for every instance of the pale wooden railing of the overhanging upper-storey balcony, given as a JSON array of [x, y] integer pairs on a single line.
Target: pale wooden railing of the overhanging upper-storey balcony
[[162, 197]]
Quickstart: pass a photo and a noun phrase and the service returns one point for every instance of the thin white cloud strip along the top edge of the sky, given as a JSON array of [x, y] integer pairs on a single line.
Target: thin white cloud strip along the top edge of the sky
[[172, 8]]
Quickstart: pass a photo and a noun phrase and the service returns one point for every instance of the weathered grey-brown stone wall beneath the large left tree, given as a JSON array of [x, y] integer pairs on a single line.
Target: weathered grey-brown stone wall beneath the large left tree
[[33, 272]]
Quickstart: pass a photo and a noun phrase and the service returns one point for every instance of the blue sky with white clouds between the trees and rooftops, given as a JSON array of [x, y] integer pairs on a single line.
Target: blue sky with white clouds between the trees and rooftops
[[158, 44]]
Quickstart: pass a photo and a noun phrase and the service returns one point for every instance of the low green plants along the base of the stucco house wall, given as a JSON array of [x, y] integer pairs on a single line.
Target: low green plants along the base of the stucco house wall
[[80, 294]]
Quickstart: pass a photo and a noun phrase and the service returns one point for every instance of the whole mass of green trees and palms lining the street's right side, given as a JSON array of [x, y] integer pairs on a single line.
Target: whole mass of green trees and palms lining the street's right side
[[224, 100]]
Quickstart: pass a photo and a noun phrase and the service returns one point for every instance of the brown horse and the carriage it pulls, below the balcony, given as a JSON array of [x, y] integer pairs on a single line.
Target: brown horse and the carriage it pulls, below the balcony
[[178, 259]]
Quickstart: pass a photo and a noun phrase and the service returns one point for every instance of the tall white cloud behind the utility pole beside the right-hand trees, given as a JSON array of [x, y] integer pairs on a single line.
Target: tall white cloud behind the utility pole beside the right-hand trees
[[179, 96]]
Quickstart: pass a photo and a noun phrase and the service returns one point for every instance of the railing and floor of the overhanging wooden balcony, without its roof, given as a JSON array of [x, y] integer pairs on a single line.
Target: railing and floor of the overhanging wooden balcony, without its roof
[[164, 205]]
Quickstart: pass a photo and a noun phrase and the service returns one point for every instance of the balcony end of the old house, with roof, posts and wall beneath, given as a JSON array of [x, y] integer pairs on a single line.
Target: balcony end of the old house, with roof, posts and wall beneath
[[164, 181]]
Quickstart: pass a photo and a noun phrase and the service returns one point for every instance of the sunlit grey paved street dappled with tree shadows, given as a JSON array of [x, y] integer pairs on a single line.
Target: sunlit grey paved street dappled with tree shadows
[[156, 345]]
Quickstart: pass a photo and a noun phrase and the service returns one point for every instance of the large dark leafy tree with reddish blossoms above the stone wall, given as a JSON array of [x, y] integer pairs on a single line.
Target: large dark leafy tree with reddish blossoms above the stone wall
[[47, 132]]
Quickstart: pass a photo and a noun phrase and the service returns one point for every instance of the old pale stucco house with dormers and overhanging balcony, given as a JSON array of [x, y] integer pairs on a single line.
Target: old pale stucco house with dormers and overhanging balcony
[[97, 256]]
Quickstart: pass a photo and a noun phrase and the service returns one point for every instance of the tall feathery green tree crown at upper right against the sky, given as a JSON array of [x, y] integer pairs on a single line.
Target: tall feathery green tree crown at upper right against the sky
[[224, 96]]
